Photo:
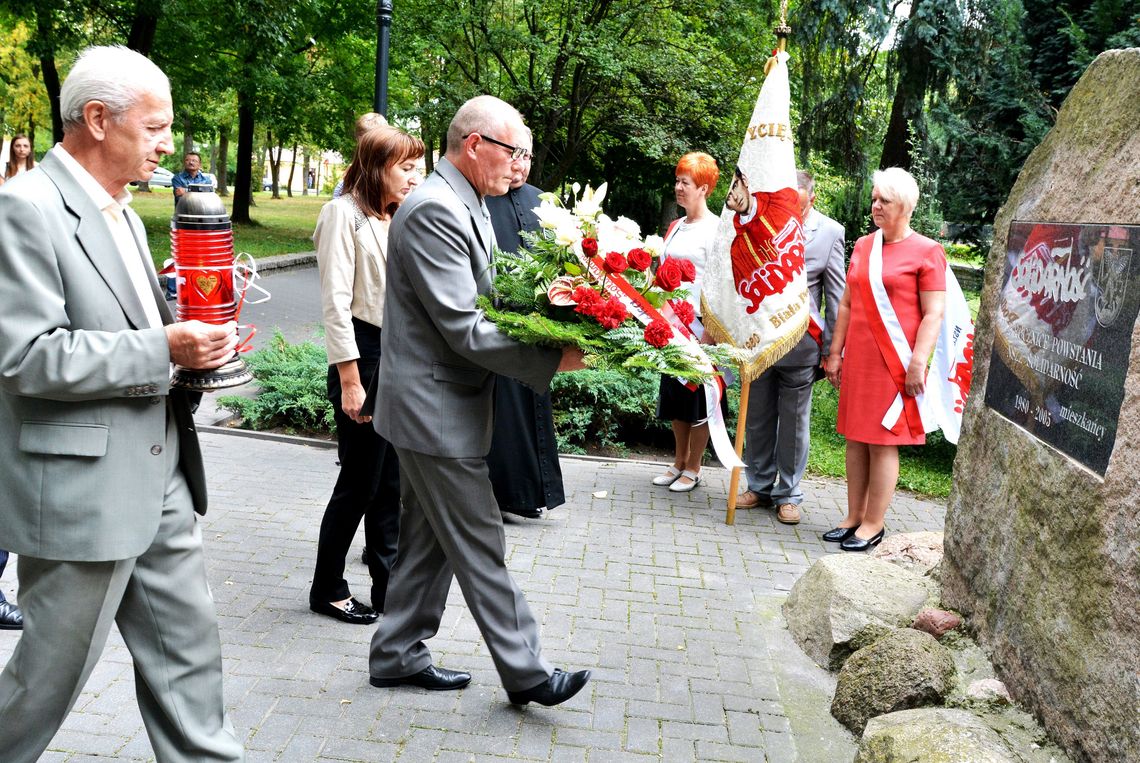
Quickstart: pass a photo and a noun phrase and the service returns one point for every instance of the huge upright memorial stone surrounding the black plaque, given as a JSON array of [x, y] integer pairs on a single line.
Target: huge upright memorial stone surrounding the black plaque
[[1041, 554]]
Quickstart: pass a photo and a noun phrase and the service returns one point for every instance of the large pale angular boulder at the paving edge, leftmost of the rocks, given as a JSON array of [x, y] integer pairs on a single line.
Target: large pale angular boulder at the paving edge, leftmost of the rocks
[[846, 602]]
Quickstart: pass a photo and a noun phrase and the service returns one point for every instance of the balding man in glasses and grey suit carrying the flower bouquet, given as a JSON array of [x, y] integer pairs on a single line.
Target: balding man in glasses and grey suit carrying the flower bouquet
[[437, 378]]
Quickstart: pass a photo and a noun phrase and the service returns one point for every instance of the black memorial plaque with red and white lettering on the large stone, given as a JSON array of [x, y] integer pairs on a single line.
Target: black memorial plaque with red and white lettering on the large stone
[[1063, 335]]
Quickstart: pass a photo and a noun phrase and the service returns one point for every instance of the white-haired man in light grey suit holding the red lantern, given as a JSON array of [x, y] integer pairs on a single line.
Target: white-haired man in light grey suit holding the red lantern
[[100, 461]]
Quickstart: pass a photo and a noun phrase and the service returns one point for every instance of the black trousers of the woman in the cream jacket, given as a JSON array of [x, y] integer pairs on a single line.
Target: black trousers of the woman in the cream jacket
[[368, 488]]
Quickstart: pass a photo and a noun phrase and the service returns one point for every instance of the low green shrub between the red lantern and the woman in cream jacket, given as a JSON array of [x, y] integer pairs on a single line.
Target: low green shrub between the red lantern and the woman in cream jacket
[[292, 392]]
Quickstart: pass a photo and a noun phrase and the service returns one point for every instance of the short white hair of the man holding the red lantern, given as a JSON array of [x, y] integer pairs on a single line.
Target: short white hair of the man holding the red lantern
[[113, 75]]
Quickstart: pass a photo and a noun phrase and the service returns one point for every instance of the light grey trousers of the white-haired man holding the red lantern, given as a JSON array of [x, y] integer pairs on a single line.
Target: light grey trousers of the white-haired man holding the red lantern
[[162, 606]]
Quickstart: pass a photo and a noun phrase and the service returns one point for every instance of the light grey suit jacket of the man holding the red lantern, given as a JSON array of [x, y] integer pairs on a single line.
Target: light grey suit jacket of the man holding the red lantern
[[84, 386]]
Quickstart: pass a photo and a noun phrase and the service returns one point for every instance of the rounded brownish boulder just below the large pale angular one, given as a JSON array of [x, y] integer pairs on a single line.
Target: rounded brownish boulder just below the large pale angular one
[[906, 669]]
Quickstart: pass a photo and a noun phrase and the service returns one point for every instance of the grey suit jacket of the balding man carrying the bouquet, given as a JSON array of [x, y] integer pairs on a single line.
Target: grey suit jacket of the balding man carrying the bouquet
[[439, 352]]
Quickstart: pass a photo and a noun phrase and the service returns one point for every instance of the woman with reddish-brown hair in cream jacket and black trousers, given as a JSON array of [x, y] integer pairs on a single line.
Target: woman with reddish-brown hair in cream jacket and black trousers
[[352, 239]]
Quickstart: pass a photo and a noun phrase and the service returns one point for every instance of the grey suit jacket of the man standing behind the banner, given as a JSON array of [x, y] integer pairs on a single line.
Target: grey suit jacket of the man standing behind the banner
[[824, 258]]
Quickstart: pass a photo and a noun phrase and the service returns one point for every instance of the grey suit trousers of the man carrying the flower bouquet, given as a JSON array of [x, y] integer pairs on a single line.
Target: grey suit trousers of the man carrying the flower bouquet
[[451, 525]]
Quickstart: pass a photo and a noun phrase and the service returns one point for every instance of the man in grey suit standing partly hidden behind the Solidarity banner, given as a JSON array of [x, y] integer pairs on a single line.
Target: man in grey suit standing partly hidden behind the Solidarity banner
[[778, 434]]
